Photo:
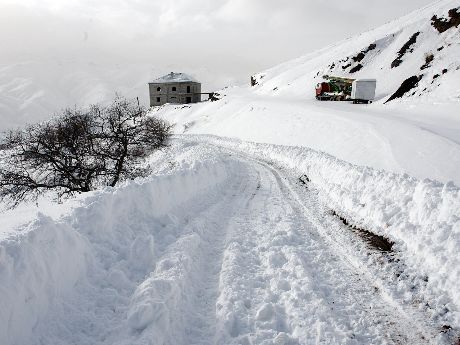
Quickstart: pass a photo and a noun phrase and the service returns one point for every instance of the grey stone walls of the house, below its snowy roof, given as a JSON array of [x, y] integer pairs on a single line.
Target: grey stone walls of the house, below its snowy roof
[[179, 96]]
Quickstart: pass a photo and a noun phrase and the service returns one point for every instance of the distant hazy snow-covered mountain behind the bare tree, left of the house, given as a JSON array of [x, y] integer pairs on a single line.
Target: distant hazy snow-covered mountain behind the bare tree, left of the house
[[32, 91]]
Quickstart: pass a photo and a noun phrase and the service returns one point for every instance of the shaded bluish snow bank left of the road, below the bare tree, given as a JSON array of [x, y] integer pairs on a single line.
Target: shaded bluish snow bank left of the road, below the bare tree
[[75, 280]]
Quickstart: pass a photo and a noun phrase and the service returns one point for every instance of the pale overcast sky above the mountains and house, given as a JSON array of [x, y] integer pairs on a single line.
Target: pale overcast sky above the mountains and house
[[226, 39]]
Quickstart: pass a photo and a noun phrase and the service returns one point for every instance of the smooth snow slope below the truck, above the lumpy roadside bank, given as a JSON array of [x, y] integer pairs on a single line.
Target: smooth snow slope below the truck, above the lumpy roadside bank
[[422, 141]]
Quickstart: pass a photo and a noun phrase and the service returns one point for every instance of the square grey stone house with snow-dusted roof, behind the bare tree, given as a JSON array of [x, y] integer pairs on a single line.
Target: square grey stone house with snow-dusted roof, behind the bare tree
[[178, 88]]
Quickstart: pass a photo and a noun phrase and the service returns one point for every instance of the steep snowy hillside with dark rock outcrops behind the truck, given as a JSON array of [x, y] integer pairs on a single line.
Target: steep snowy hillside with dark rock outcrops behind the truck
[[424, 44]]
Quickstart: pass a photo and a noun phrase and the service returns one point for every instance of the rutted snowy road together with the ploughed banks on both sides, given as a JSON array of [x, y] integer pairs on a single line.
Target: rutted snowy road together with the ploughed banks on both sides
[[222, 245]]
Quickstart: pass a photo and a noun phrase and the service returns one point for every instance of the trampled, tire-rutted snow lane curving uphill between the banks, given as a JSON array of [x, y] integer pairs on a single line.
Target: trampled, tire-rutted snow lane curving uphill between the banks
[[302, 272]]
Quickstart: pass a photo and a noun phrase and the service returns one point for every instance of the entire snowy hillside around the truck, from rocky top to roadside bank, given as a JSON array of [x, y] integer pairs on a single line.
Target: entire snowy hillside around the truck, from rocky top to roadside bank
[[418, 134]]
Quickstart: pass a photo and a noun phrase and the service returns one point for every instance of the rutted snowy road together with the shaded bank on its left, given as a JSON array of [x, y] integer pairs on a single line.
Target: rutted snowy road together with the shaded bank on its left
[[220, 247]]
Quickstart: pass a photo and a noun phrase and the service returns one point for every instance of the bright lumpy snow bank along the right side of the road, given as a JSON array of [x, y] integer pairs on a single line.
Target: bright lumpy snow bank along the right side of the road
[[421, 216]]
